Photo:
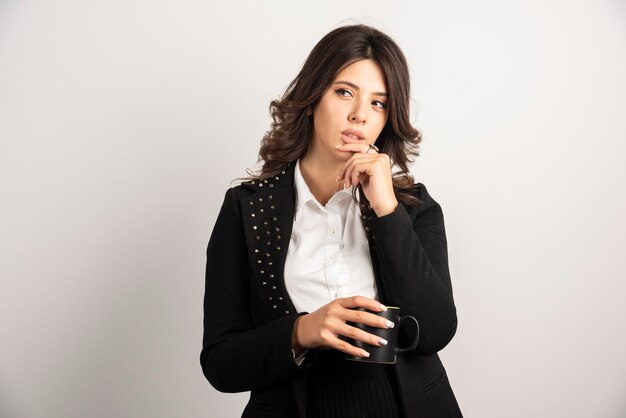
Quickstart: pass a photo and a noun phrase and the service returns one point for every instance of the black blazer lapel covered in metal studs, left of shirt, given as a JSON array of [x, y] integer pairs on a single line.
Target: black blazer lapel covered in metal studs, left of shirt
[[268, 220]]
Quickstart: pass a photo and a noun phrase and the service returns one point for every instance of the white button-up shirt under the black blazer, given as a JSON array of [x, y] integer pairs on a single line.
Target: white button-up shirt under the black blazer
[[328, 255]]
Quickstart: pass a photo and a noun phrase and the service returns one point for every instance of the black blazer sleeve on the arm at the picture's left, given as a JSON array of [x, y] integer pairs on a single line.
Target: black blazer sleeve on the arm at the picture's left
[[236, 355]]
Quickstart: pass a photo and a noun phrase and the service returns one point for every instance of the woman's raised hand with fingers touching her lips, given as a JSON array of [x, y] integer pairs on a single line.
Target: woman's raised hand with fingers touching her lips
[[373, 171]]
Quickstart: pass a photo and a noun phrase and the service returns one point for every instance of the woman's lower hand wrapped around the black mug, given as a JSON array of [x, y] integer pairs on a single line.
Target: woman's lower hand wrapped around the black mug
[[323, 327]]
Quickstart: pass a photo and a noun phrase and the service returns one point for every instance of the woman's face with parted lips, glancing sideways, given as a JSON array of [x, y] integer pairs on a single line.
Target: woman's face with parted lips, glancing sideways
[[353, 109]]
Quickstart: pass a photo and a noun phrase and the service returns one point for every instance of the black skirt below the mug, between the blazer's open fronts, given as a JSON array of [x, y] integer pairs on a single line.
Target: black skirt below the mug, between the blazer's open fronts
[[339, 388]]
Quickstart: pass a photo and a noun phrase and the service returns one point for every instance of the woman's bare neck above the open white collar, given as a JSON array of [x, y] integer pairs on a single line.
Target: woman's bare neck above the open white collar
[[321, 175]]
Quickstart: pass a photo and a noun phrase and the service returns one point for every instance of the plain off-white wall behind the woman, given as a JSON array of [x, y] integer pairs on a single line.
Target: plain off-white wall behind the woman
[[123, 122]]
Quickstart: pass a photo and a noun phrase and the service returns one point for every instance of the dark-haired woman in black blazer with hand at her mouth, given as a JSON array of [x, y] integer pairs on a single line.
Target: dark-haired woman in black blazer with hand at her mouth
[[332, 222]]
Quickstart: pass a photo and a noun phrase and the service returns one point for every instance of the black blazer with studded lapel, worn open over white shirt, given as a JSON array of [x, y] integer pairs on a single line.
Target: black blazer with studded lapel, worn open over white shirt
[[249, 317]]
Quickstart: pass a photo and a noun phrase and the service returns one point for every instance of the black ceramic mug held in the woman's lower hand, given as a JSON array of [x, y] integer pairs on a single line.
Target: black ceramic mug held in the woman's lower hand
[[385, 353]]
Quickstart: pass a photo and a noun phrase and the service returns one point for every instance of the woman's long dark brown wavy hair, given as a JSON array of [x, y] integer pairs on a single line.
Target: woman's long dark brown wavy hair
[[291, 129]]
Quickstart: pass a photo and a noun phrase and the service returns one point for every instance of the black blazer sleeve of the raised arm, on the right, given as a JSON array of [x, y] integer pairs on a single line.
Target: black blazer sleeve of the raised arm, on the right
[[413, 260]]
